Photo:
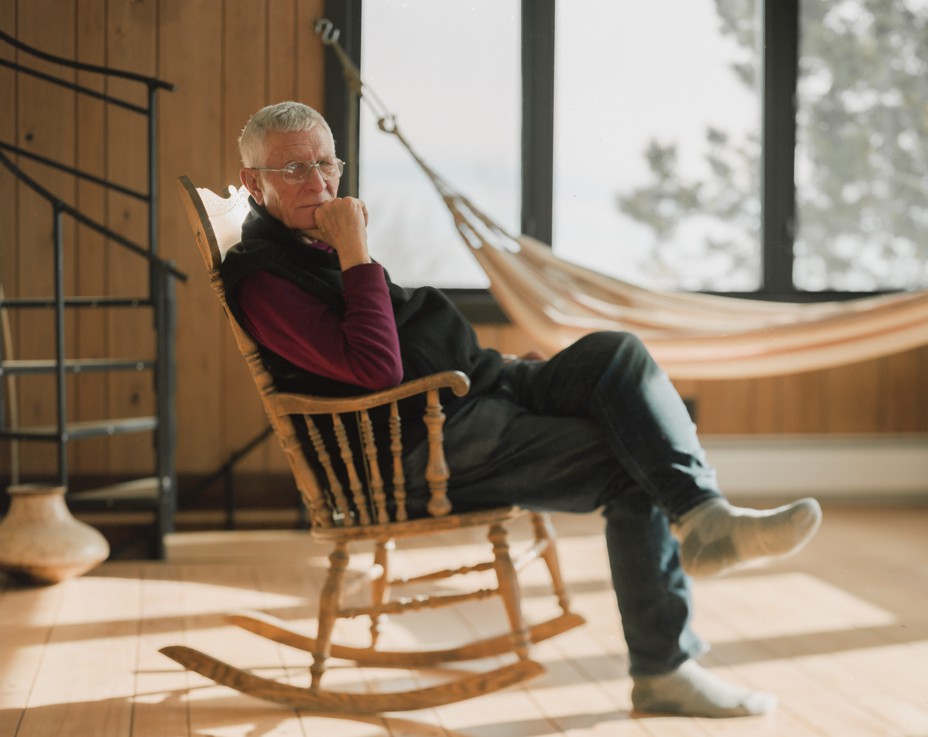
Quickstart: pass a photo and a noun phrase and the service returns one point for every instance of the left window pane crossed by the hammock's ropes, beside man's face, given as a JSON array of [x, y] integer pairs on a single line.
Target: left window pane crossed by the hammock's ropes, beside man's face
[[450, 72]]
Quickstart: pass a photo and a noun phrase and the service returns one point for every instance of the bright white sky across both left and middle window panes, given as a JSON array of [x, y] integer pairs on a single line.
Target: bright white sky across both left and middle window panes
[[626, 72]]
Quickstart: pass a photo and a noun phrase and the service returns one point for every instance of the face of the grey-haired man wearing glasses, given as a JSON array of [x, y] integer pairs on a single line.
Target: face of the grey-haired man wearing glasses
[[293, 204]]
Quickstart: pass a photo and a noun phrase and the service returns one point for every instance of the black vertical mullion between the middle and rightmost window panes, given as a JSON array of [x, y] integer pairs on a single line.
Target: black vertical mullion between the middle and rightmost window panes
[[780, 33]]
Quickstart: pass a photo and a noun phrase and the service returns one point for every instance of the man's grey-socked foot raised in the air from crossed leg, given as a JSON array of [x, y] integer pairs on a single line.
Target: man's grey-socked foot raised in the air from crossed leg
[[716, 537]]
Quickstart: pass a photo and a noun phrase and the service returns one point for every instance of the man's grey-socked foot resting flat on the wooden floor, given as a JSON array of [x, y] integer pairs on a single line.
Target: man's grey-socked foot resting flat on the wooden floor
[[692, 691]]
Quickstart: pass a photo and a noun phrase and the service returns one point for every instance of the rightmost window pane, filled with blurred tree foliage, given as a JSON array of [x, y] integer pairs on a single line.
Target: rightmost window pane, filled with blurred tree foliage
[[861, 155]]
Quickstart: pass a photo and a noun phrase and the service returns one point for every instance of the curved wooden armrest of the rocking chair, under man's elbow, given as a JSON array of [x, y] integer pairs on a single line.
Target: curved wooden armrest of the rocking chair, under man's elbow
[[292, 404]]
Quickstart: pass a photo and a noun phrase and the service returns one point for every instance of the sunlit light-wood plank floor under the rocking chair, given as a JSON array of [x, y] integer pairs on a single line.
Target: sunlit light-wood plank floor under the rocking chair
[[839, 632]]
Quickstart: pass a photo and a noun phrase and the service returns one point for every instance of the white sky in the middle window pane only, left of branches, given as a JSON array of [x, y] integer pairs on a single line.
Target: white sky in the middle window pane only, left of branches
[[628, 73]]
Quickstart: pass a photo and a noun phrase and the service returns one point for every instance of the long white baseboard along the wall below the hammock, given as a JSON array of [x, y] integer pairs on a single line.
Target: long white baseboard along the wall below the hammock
[[868, 469]]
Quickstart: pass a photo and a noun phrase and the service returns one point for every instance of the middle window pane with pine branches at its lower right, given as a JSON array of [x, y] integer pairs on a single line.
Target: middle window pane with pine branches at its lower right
[[656, 144]]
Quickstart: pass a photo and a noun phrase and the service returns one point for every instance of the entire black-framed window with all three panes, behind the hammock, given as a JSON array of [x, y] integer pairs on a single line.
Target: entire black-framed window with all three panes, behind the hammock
[[744, 146]]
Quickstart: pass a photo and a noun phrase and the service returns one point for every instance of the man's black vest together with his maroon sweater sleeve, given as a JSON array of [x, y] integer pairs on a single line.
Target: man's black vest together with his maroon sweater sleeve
[[332, 333]]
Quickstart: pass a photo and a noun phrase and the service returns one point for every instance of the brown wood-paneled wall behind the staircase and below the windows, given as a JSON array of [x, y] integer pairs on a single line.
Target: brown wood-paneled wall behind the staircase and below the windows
[[227, 59]]
